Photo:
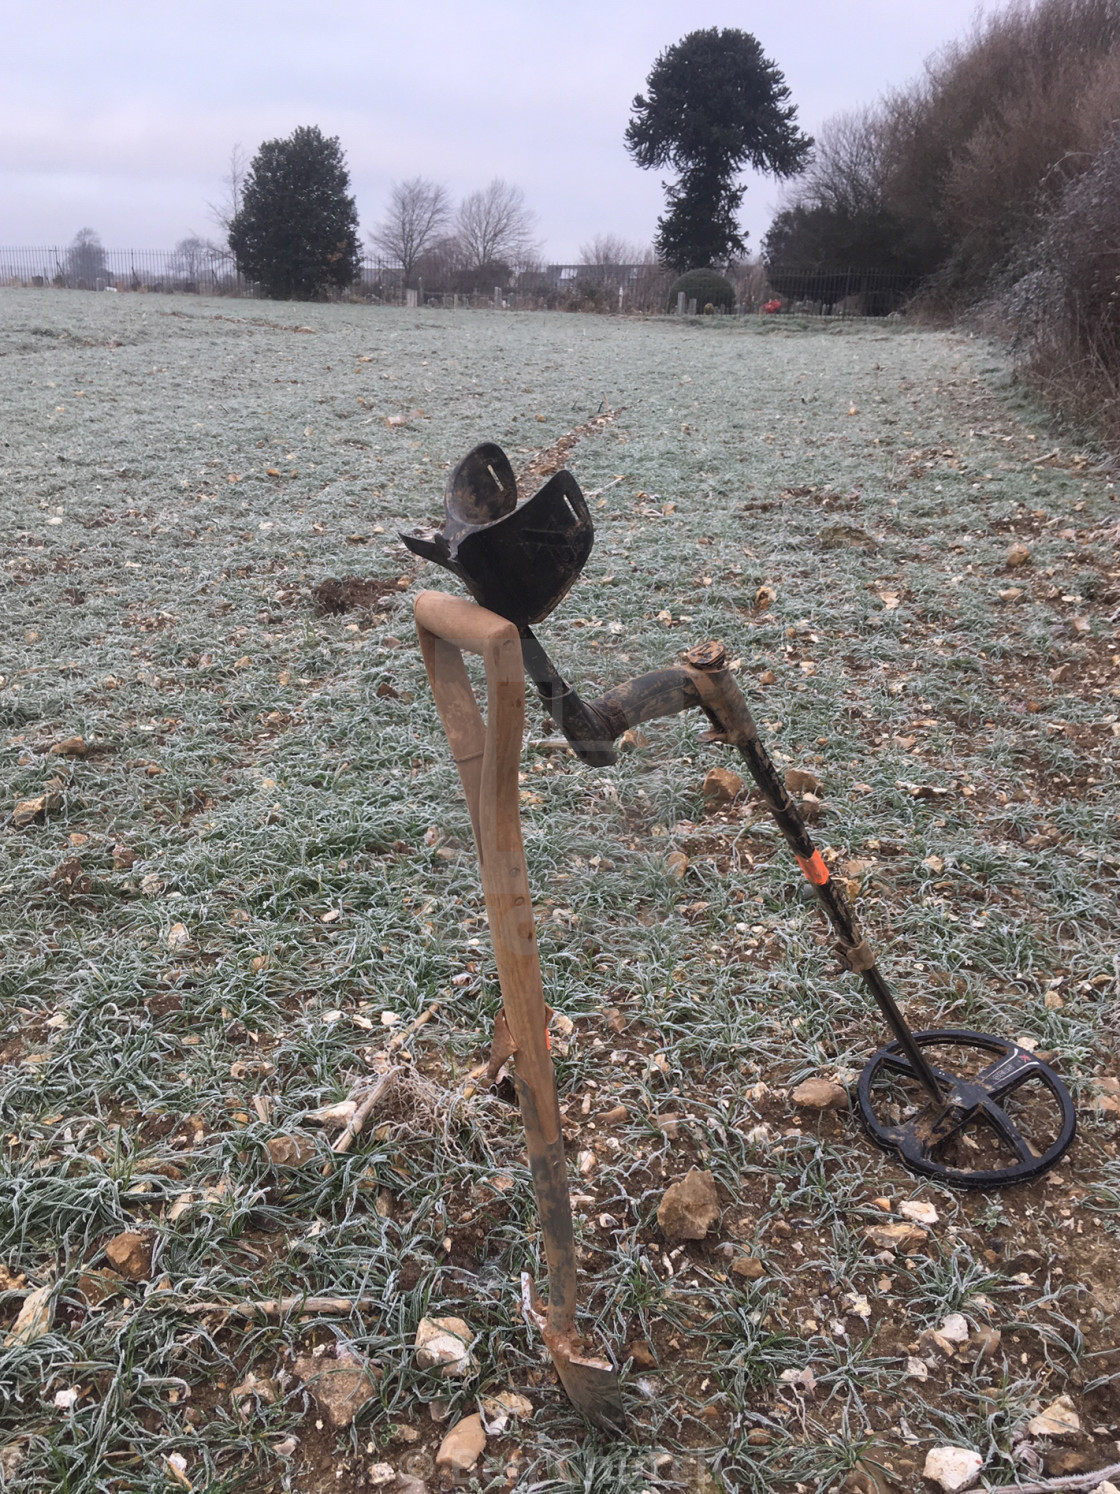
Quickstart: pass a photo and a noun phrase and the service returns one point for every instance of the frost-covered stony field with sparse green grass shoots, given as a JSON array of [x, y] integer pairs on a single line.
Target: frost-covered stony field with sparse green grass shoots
[[264, 851]]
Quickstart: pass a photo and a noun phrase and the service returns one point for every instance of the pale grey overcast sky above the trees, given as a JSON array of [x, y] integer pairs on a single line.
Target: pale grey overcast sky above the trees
[[122, 117]]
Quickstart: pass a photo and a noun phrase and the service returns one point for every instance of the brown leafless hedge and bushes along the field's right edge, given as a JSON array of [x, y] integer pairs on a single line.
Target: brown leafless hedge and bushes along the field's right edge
[[994, 185]]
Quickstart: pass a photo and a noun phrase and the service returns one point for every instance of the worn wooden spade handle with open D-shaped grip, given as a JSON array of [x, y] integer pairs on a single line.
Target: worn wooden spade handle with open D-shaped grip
[[488, 755]]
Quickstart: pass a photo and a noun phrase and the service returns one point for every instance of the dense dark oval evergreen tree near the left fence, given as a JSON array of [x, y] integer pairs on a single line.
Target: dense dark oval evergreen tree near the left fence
[[296, 231]]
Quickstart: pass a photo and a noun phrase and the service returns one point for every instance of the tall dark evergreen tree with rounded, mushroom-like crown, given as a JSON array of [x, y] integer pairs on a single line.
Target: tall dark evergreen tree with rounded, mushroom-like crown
[[715, 104]]
